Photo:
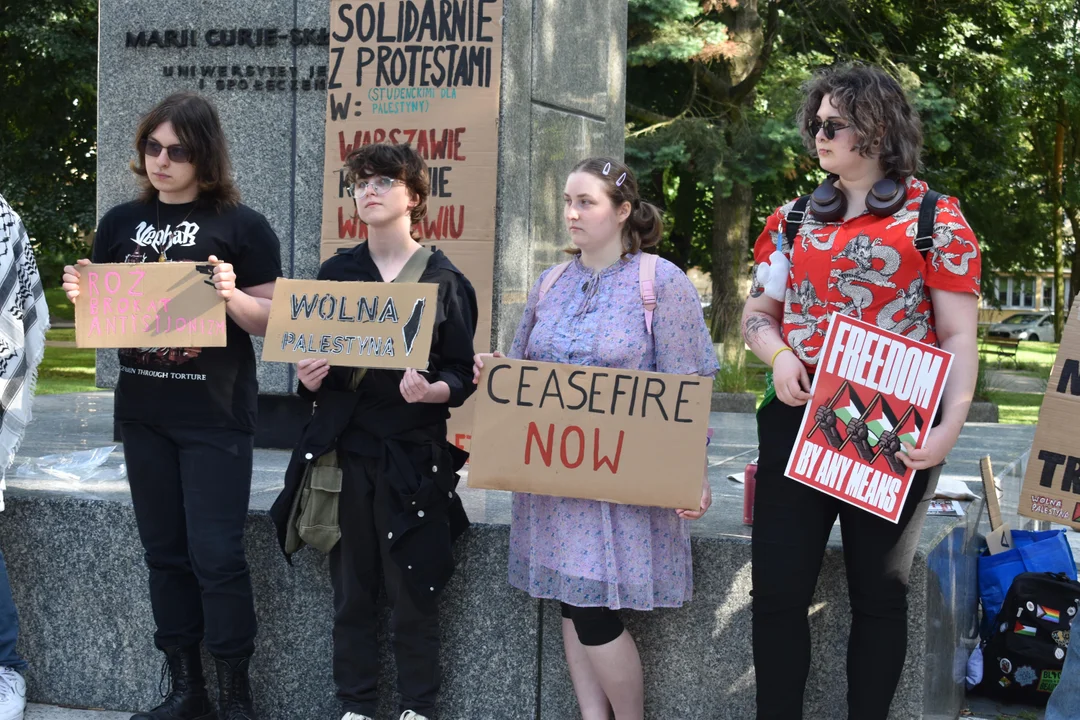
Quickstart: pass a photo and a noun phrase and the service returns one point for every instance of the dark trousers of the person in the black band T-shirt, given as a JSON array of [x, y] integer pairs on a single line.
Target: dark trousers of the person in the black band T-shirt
[[191, 488]]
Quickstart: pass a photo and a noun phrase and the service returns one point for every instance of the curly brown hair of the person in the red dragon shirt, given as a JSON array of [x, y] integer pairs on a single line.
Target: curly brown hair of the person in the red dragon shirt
[[881, 115]]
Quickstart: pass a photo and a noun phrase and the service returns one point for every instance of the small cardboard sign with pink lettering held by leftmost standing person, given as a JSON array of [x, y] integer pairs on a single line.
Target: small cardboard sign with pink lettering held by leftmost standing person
[[152, 305]]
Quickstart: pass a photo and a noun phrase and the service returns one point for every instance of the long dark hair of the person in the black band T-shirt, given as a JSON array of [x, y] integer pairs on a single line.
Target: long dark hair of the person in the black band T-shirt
[[197, 126]]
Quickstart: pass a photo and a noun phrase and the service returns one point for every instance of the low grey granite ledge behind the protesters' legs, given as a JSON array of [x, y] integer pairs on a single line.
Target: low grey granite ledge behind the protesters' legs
[[80, 586]]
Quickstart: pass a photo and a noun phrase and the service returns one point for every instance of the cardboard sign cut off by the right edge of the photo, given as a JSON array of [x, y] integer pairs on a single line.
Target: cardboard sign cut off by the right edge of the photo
[[1051, 490]]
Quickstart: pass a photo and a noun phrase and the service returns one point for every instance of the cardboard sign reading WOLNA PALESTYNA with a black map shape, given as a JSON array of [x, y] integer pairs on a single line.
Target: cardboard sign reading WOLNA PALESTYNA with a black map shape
[[386, 325]]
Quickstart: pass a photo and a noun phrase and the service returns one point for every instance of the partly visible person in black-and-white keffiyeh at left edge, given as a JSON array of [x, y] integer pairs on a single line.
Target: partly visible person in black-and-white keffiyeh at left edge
[[24, 319]]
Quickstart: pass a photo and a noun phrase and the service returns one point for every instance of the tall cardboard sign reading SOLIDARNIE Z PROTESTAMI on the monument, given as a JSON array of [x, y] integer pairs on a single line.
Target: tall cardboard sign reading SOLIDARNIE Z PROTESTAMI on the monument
[[426, 73]]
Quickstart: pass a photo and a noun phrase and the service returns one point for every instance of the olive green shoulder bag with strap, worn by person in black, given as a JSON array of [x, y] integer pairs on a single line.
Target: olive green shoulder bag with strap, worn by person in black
[[314, 520]]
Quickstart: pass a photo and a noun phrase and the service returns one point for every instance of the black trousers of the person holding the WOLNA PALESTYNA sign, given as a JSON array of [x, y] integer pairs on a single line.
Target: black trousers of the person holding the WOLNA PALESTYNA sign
[[360, 565]]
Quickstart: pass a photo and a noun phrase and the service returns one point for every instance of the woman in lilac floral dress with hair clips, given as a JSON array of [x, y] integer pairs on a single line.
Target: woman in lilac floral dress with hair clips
[[599, 558]]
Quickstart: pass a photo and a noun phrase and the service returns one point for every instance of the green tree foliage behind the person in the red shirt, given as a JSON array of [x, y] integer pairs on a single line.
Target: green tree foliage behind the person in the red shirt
[[994, 80]]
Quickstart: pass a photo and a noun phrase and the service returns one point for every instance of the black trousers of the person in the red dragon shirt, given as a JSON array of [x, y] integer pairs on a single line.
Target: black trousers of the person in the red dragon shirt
[[792, 524]]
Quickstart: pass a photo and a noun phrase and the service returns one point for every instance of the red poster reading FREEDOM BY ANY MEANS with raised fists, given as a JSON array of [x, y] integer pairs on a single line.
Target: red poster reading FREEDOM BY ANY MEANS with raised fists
[[873, 391]]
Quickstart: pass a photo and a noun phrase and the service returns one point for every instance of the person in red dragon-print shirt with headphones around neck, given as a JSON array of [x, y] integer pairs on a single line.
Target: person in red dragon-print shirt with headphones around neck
[[855, 253]]
